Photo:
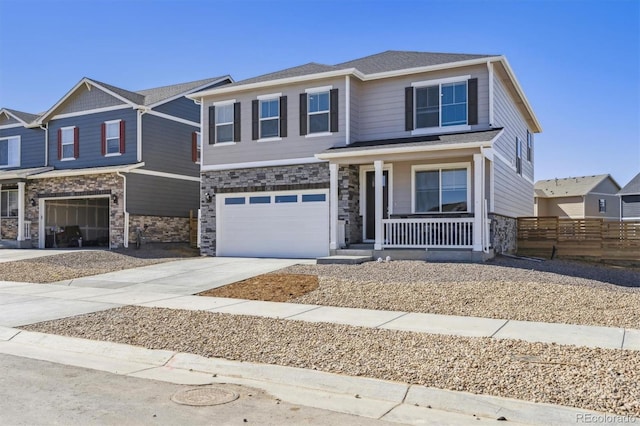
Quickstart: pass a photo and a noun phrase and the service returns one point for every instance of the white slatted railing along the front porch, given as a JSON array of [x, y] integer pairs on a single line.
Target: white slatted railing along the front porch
[[428, 233]]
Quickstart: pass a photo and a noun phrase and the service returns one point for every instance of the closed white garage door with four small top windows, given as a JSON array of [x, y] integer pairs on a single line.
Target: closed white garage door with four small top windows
[[292, 224]]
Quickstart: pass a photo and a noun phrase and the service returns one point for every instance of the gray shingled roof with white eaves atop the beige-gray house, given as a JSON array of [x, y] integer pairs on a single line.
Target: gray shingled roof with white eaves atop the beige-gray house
[[391, 63]]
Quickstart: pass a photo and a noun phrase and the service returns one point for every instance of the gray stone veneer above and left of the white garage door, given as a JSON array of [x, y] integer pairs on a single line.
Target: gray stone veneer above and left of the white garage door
[[280, 178]]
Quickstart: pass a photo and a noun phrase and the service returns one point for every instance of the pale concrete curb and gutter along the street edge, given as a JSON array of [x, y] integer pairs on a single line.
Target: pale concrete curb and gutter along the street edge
[[372, 398]]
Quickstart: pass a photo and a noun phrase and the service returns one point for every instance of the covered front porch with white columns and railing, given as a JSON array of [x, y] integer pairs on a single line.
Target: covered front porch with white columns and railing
[[419, 202]]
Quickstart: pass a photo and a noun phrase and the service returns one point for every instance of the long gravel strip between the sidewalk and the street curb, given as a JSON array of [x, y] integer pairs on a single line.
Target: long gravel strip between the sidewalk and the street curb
[[594, 379]]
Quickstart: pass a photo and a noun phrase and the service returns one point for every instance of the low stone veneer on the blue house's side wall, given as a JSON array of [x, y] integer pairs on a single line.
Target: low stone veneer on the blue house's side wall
[[161, 229]]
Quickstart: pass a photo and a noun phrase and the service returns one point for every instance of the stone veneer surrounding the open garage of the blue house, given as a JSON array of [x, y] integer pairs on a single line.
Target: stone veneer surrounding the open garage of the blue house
[[78, 186]]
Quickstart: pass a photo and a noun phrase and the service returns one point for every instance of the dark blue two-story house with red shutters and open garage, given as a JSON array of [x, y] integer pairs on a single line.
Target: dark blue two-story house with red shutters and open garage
[[100, 163]]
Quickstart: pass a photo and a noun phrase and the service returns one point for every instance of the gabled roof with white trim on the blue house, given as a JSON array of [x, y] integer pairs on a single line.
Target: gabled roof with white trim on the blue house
[[140, 98]]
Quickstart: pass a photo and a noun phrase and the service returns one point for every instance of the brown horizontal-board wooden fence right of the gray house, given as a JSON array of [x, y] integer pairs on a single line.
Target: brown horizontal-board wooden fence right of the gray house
[[594, 239]]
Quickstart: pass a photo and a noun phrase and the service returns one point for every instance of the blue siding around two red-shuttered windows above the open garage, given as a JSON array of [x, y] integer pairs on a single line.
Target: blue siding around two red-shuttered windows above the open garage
[[90, 146]]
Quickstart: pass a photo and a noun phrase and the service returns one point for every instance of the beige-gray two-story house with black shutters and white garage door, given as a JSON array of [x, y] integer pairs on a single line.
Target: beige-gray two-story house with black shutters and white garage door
[[398, 149]]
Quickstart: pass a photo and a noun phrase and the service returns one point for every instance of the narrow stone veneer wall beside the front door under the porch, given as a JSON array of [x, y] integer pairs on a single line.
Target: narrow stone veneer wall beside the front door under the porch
[[349, 202]]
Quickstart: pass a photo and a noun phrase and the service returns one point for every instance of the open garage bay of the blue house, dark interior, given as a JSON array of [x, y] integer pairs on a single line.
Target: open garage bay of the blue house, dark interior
[[68, 220]]
